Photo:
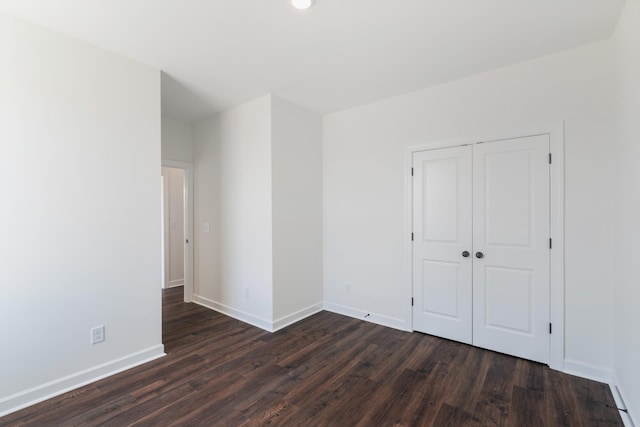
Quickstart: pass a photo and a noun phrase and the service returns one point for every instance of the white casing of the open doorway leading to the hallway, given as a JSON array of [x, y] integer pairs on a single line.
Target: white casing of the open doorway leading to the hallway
[[188, 218]]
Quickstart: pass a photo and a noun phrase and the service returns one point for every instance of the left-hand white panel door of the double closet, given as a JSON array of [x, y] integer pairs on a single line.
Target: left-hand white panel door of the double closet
[[442, 232]]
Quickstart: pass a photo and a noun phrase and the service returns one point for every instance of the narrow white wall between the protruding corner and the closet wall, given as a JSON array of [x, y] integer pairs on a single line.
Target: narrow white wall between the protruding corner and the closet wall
[[297, 211]]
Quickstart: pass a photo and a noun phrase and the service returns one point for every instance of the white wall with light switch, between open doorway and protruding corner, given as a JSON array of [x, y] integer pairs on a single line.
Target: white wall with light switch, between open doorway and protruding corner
[[232, 162]]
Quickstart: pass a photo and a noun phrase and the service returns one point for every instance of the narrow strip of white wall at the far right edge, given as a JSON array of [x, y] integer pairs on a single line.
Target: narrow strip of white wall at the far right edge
[[626, 43]]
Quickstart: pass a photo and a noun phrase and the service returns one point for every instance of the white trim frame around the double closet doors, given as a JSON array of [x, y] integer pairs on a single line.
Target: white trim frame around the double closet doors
[[556, 292]]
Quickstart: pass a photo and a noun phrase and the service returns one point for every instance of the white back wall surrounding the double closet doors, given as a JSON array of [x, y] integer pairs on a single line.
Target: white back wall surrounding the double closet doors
[[364, 185]]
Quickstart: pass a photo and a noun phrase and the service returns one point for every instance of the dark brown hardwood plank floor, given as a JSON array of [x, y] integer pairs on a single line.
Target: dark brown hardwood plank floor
[[326, 370]]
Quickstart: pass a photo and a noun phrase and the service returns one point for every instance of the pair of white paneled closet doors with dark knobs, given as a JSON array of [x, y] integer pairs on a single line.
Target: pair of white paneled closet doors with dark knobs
[[481, 245]]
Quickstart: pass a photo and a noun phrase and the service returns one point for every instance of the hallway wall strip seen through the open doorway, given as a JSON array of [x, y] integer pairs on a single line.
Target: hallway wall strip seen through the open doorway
[[173, 226]]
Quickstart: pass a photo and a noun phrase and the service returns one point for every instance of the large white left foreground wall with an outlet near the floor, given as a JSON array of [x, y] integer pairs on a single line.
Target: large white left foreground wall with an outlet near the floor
[[80, 246]]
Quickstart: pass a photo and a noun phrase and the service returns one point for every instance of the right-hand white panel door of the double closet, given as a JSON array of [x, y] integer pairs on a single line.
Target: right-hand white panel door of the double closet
[[511, 247]]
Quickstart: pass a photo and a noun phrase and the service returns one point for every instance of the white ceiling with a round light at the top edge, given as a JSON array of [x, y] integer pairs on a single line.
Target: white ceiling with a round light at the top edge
[[216, 54]]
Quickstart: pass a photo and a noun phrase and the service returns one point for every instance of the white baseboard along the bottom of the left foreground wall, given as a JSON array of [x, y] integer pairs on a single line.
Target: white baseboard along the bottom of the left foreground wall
[[37, 394]]
